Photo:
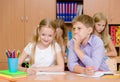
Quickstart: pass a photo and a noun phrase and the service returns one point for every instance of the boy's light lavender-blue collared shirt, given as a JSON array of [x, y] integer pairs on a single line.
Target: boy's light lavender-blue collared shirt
[[93, 54]]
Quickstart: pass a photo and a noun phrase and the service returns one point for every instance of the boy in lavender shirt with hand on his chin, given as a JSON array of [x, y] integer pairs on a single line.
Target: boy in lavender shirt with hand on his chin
[[86, 51]]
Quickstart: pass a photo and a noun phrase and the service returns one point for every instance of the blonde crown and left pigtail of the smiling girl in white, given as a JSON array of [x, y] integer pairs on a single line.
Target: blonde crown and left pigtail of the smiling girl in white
[[45, 22]]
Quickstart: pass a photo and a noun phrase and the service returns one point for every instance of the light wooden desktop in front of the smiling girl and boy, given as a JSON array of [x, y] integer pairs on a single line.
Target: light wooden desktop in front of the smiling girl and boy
[[68, 77]]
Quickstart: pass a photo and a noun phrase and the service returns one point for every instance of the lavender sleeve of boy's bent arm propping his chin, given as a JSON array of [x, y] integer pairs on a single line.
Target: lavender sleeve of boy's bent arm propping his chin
[[96, 55]]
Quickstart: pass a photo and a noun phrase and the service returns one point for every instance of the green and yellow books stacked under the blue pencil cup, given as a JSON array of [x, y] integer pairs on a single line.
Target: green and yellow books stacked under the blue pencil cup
[[7, 74]]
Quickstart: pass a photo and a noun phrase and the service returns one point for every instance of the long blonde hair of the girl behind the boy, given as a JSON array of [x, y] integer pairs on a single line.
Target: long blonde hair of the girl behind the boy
[[104, 34]]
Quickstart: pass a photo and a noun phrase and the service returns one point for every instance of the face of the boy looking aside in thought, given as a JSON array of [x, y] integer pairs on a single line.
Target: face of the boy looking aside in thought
[[80, 31]]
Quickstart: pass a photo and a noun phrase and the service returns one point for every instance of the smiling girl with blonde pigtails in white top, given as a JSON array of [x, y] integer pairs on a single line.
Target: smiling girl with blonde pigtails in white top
[[44, 53]]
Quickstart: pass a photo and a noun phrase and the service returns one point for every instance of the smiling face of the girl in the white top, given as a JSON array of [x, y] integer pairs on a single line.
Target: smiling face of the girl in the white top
[[46, 35]]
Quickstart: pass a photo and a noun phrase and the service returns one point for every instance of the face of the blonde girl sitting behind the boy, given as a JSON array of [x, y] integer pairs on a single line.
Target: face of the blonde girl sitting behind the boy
[[99, 26]]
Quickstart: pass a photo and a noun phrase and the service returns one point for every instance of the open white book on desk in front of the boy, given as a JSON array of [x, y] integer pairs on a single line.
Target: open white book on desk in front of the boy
[[97, 74]]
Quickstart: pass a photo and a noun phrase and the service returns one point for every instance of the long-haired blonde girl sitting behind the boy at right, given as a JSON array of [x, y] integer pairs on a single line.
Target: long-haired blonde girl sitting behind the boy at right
[[101, 30]]
